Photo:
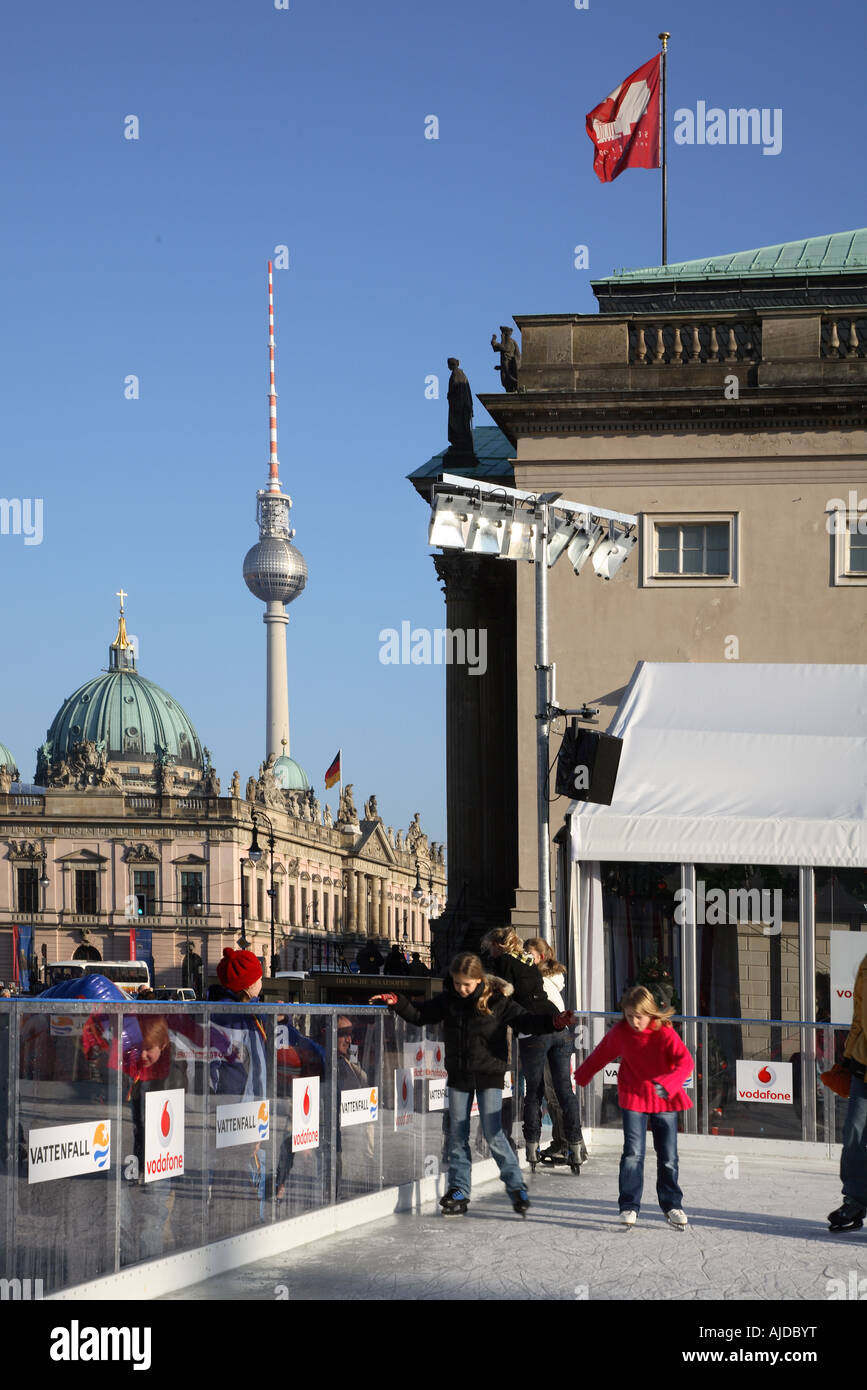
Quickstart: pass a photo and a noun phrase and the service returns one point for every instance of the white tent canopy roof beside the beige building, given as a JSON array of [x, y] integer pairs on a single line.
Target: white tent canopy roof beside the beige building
[[736, 764]]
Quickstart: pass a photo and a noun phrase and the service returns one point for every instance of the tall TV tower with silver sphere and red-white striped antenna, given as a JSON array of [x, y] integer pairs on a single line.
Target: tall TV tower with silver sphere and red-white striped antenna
[[274, 571]]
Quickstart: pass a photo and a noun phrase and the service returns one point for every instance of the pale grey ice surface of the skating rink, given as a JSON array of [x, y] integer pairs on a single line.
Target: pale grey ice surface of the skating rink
[[759, 1234]]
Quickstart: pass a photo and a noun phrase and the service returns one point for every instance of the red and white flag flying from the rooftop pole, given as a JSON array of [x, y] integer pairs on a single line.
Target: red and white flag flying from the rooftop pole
[[625, 129]]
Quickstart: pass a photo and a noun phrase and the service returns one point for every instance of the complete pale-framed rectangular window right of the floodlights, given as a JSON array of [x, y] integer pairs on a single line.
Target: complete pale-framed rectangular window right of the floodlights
[[690, 551]]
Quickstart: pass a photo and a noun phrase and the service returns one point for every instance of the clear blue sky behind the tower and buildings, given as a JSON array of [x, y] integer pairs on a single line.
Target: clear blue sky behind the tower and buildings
[[305, 127]]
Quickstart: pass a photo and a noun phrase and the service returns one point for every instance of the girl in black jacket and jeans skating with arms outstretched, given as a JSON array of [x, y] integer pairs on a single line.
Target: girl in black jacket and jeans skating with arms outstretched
[[476, 1014]]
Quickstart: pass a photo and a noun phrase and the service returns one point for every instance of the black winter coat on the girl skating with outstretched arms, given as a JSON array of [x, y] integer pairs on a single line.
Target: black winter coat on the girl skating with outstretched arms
[[477, 1045]]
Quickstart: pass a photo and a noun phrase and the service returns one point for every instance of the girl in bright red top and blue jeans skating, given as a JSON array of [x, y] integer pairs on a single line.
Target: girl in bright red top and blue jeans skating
[[654, 1067]]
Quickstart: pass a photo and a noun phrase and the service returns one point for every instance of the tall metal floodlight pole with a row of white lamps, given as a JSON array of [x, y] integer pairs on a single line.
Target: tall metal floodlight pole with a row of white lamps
[[508, 525]]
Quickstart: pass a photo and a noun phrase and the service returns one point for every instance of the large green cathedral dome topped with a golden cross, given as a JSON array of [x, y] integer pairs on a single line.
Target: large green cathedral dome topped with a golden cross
[[131, 719]]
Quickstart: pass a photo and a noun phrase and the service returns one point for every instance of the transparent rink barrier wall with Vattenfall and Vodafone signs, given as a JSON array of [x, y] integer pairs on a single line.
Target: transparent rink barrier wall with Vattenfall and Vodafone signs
[[131, 1134]]
